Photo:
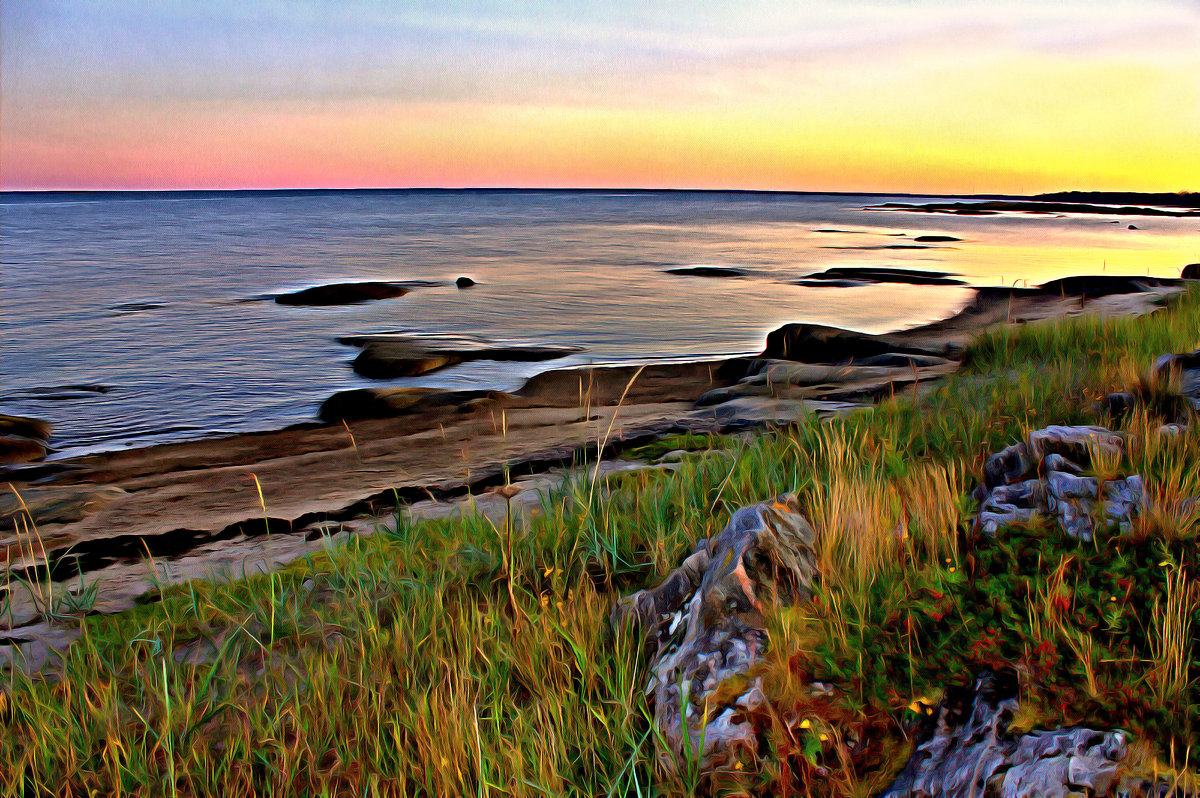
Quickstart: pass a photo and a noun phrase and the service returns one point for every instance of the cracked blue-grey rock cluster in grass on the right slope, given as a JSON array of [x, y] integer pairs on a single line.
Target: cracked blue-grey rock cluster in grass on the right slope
[[1043, 477]]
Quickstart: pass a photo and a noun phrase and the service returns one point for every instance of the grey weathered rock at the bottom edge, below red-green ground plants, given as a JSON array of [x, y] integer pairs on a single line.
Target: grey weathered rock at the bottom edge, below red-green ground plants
[[968, 752]]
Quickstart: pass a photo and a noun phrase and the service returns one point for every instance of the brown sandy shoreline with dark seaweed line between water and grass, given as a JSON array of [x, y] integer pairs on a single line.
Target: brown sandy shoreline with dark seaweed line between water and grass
[[272, 497]]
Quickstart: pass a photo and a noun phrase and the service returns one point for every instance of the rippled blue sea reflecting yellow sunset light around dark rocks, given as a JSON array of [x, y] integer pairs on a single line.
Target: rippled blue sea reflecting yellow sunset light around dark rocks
[[129, 320]]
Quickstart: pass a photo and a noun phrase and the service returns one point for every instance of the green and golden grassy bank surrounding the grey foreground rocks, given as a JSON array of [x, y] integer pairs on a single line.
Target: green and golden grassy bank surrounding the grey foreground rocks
[[464, 658]]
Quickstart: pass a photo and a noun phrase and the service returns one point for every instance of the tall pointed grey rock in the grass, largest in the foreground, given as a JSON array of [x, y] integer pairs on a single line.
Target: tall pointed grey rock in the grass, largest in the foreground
[[705, 626]]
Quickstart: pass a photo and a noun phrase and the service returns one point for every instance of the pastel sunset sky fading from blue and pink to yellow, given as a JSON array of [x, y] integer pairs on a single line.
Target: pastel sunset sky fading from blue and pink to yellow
[[891, 97]]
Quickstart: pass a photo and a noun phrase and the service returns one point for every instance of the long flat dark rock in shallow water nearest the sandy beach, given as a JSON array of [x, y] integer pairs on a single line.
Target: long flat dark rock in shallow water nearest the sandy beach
[[397, 355]]
